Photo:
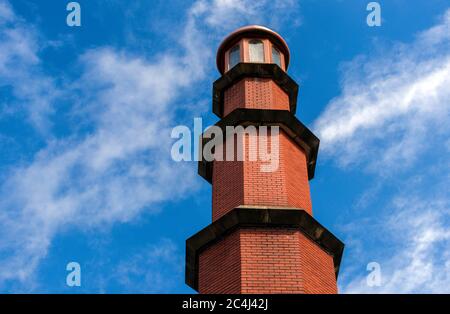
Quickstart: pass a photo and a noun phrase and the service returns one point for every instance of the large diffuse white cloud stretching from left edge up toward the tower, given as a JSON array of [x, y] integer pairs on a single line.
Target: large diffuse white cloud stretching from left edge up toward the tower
[[111, 175]]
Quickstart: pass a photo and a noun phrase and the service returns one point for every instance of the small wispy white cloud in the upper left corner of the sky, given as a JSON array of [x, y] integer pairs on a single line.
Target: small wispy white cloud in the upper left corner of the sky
[[21, 72]]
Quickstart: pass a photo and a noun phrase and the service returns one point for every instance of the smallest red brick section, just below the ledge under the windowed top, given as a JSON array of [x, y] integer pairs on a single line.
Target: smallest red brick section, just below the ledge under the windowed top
[[256, 93]]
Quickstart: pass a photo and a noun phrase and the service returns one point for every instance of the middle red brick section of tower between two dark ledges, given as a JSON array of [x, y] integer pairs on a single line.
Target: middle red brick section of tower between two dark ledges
[[243, 183]]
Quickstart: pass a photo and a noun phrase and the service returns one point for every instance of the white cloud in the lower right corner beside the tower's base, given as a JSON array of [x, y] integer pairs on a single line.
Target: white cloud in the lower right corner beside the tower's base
[[419, 237]]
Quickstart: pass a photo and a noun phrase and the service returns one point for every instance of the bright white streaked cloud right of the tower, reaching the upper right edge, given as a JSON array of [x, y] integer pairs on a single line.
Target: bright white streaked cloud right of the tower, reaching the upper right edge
[[391, 105]]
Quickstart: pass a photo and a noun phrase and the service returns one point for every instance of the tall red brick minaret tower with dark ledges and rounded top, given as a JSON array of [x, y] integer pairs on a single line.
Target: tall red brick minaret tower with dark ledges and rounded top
[[263, 237]]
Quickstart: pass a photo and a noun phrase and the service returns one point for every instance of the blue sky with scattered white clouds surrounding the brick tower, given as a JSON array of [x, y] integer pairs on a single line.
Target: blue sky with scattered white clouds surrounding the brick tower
[[86, 115]]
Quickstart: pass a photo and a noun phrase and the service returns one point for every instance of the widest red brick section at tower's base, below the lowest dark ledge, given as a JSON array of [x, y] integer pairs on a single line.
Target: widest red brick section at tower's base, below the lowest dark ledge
[[266, 260]]
